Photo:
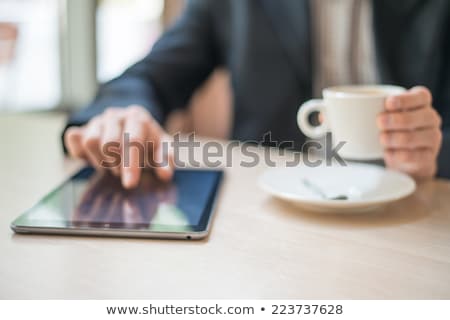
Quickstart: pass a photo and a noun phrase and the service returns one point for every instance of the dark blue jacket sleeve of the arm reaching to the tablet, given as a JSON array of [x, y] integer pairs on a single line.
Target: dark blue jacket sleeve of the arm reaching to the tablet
[[166, 78]]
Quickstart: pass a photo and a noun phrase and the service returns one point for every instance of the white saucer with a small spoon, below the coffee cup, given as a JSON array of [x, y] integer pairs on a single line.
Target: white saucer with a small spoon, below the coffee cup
[[365, 187]]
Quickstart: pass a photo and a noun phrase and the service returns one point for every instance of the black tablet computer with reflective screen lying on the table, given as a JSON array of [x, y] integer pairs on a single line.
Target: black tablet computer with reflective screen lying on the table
[[95, 203]]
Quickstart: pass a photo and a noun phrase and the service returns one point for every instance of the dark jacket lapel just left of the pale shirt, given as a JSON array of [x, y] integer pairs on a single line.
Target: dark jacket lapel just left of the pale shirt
[[291, 22]]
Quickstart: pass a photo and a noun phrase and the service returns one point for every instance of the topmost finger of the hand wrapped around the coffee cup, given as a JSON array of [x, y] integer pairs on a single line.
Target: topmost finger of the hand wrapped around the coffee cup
[[415, 98]]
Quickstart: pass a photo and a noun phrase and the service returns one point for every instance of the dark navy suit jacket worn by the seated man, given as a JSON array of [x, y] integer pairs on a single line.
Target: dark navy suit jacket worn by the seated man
[[266, 45]]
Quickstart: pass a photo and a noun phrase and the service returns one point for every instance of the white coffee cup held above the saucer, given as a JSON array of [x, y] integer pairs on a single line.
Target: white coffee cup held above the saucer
[[349, 113]]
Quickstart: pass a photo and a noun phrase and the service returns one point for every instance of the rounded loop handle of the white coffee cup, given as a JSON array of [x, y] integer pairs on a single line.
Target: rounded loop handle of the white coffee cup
[[303, 122]]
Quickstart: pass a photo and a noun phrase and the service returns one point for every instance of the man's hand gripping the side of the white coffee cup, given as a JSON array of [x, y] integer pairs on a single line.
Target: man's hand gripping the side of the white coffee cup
[[411, 133]]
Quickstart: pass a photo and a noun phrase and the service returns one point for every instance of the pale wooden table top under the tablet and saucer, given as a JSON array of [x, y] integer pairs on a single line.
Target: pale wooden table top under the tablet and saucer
[[259, 247]]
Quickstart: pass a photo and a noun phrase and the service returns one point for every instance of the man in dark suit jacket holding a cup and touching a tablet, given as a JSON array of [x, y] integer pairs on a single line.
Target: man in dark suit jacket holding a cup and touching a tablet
[[281, 53]]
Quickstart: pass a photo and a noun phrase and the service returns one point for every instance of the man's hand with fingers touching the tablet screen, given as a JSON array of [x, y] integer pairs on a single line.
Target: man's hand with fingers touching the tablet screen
[[102, 132]]
